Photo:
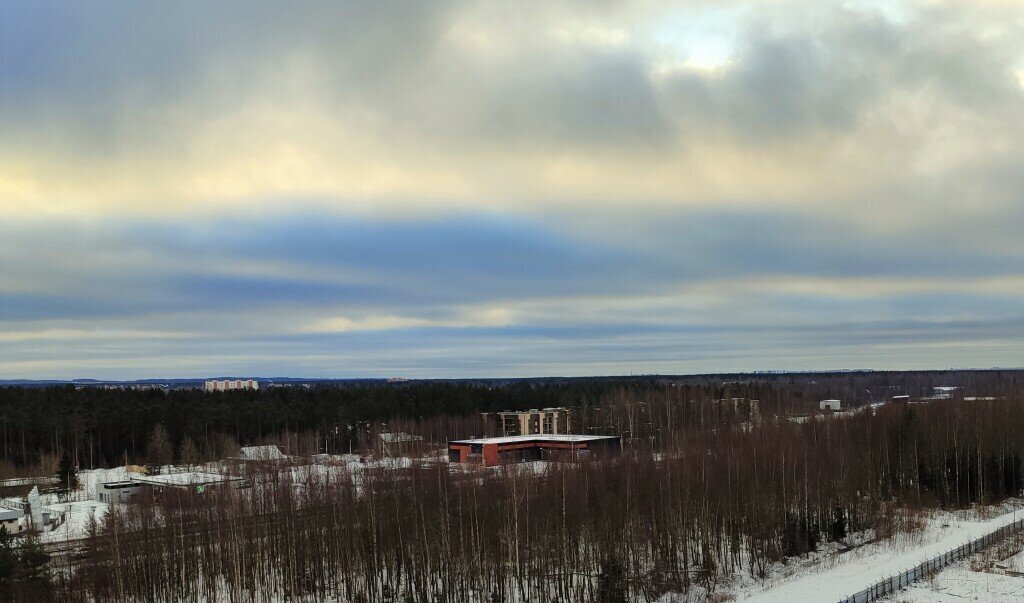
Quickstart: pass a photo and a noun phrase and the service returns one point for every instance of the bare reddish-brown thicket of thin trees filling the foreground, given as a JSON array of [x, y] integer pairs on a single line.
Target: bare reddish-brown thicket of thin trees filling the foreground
[[726, 497]]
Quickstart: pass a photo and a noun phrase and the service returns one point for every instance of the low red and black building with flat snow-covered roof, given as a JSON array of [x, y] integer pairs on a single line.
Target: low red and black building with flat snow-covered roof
[[519, 449]]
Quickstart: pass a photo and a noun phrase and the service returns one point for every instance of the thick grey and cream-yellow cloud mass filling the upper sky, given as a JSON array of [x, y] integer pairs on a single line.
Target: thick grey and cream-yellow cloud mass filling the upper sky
[[454, 107]]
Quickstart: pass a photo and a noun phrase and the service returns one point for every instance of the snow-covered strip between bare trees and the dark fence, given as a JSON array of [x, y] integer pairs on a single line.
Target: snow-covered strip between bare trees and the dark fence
[[839, 576]]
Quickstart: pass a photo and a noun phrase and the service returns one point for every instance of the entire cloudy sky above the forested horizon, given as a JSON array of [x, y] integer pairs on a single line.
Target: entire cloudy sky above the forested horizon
[[509, 189]]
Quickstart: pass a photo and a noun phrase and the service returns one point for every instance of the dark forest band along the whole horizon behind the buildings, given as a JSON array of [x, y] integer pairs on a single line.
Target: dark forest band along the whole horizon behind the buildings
[[103, 427]]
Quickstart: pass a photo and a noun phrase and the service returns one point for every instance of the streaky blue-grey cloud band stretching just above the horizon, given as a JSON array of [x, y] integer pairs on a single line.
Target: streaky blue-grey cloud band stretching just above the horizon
[[437, 297]]
